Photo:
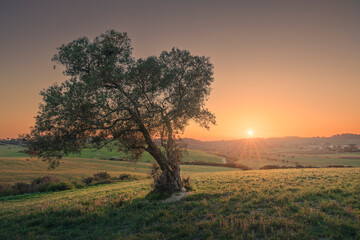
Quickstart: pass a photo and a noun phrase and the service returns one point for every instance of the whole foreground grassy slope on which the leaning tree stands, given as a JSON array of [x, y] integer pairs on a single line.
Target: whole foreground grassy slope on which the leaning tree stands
[[272, 204]]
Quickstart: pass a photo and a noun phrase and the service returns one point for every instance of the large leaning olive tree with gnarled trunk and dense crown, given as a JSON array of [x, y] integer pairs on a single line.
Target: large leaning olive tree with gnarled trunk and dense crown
[[140, 105]]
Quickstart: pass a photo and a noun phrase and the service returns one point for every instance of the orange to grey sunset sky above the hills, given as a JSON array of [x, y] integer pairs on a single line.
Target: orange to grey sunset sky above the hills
[[281, 68]]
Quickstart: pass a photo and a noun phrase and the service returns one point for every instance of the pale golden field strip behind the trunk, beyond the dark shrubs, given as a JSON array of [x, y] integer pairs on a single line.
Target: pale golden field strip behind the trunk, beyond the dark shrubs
[[24, 169]]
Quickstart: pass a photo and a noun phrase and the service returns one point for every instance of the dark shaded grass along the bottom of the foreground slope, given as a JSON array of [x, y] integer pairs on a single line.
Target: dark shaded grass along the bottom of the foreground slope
[[199, 216]]
